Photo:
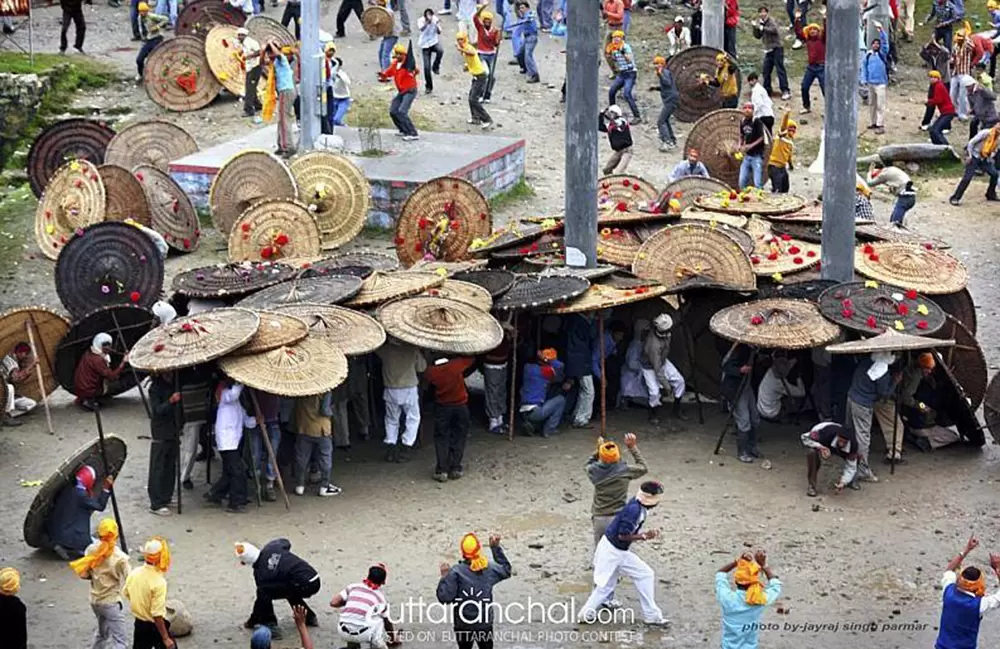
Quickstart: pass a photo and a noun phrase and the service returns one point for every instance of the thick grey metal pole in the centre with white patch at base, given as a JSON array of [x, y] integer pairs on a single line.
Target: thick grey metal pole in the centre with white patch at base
[[583, 26]]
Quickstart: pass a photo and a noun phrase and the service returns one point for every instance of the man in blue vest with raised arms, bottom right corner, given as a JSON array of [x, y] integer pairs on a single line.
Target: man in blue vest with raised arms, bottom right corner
[[964, 601]]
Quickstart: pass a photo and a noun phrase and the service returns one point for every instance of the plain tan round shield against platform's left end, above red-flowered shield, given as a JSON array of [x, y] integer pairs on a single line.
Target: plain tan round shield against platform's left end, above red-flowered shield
[[243, 180]]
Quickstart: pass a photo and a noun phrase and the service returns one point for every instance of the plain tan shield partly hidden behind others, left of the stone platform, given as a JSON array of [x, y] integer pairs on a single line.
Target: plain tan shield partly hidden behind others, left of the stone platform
[[153, 142]]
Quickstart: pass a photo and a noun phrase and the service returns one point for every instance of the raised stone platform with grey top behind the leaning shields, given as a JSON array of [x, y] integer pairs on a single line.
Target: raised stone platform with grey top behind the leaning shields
[[492, 163]]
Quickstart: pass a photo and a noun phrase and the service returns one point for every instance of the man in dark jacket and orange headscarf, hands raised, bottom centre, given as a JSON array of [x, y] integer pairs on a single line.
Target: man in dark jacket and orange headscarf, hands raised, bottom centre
[[468, 587]]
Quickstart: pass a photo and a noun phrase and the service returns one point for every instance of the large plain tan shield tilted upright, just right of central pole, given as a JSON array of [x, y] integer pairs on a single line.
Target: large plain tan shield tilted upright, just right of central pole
[[695, 255]]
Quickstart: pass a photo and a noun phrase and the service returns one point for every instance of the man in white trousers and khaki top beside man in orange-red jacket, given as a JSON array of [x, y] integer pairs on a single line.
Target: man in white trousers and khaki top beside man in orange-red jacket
[[400, 365]]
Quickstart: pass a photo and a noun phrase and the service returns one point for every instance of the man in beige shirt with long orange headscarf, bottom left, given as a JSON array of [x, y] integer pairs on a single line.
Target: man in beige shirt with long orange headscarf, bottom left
[[106, 567]]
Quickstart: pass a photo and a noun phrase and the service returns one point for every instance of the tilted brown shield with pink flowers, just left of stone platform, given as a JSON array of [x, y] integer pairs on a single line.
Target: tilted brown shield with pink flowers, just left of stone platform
[[173, 214]]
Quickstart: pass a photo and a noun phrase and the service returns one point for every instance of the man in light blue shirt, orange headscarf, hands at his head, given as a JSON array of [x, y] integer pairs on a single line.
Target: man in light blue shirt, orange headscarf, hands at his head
[[743, 607]]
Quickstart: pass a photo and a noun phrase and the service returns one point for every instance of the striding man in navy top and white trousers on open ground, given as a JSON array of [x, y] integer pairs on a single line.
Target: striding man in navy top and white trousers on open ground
[[614, 558]]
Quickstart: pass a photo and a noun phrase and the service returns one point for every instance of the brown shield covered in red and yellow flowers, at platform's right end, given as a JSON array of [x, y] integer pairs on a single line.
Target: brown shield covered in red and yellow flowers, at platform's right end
[[441, 219]]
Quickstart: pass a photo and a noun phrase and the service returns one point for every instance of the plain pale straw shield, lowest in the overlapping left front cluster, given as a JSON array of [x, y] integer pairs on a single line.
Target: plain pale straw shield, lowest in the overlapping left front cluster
[[312, 366]]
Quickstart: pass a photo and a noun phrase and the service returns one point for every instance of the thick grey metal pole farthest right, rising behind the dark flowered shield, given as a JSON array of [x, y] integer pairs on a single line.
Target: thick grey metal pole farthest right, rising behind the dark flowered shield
[[840, 155]]
